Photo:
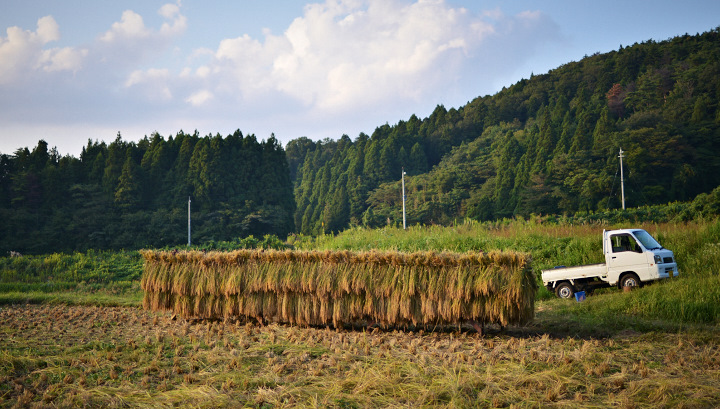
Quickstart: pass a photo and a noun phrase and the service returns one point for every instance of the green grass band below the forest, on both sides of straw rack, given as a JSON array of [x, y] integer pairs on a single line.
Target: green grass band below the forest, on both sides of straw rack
[[695, 297]]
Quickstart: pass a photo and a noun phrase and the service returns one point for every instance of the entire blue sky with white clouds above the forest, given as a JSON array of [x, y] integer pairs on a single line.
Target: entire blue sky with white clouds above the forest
[[79, 70]]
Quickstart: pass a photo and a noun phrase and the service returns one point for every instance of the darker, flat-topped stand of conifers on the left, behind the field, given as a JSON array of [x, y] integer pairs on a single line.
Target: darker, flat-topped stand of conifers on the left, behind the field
[[132, 195]]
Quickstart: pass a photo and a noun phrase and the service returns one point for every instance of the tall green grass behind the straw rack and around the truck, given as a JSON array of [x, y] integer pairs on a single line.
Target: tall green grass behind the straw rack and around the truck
[[694, 297]]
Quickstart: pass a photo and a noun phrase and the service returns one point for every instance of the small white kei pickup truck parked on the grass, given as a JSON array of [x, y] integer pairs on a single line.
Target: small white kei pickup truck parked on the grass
[[632, 257]]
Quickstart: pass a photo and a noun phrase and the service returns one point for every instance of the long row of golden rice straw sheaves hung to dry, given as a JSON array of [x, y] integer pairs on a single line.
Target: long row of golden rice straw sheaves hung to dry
[[323, 287]]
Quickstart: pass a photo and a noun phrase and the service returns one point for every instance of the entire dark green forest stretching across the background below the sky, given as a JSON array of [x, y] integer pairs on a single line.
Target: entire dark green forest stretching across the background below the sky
[[545, 145]]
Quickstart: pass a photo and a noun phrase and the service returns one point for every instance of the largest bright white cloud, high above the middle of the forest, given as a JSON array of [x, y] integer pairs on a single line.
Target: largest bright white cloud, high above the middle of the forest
[[343, 54]]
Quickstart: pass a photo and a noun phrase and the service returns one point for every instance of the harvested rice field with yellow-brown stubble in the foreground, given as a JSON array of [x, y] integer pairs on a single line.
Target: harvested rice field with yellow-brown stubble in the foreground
[[70, 356]]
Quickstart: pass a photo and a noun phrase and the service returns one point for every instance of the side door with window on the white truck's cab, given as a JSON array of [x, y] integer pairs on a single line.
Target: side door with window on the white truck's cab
[[626, 254]]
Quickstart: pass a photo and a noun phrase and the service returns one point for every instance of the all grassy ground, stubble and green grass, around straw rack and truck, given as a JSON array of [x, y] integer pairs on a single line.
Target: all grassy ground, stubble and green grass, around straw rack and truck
[[92, 344]]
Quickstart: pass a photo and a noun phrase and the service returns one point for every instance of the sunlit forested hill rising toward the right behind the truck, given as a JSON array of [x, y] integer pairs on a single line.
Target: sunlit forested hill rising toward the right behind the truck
[[548, 144]]
